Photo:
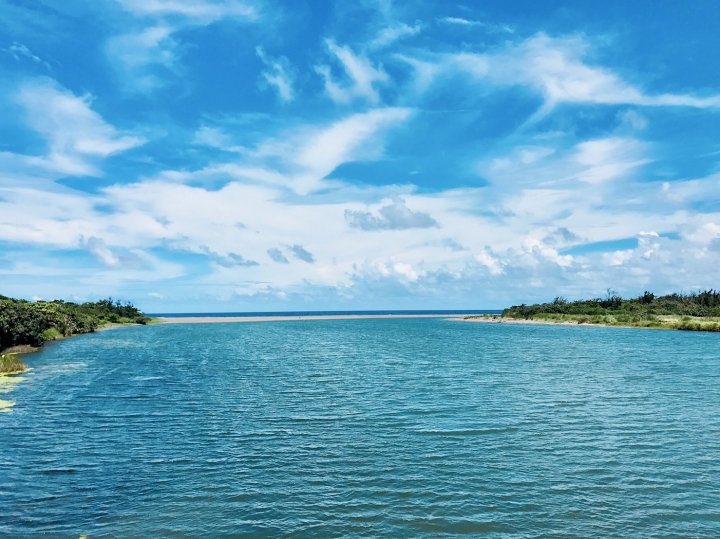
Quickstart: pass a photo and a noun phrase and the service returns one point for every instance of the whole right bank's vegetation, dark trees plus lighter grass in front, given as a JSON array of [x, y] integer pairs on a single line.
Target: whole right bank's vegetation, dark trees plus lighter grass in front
[[689, 312]]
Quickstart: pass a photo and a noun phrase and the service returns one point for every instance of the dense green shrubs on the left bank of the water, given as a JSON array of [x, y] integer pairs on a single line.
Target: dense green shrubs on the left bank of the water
[[26, 323]]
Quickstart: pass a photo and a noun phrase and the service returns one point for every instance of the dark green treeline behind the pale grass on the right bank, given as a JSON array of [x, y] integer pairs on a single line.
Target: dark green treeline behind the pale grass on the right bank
[[700, 304]]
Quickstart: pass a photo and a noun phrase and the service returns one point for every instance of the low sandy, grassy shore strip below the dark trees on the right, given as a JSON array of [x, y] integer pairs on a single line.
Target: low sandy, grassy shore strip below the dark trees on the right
[[668, 322]]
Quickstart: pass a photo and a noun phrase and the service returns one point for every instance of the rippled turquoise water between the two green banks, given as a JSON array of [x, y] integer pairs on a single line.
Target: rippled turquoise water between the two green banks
[[376, 428]]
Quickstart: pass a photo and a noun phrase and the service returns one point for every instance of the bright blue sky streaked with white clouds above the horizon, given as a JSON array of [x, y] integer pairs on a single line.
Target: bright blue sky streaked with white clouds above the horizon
[[266, 155]]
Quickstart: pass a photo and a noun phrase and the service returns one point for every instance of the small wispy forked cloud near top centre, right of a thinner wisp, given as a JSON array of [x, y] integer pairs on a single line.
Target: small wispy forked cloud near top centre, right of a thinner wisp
[[362, 75]]
